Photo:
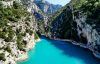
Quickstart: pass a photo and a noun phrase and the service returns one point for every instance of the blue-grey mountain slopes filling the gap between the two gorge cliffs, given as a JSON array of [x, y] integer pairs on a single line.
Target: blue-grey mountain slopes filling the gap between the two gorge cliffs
[[42, 10]]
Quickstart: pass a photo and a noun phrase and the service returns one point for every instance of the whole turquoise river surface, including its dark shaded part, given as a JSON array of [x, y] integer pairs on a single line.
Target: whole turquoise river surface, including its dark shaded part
[[59, 52]]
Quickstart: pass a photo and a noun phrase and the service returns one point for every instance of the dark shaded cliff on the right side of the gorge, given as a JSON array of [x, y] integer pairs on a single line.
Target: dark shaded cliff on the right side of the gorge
[[78, 21]]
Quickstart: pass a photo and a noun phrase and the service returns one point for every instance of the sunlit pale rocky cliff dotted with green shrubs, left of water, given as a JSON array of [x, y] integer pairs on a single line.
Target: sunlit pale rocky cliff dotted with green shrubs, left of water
[[17, 25]]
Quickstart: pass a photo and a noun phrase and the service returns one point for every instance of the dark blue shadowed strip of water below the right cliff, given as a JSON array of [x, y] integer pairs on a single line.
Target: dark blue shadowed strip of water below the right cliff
[[75, 51]]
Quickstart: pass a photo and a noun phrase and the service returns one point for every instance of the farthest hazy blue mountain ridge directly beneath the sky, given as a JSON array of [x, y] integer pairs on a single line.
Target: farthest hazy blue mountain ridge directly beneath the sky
[[46, 7]]
